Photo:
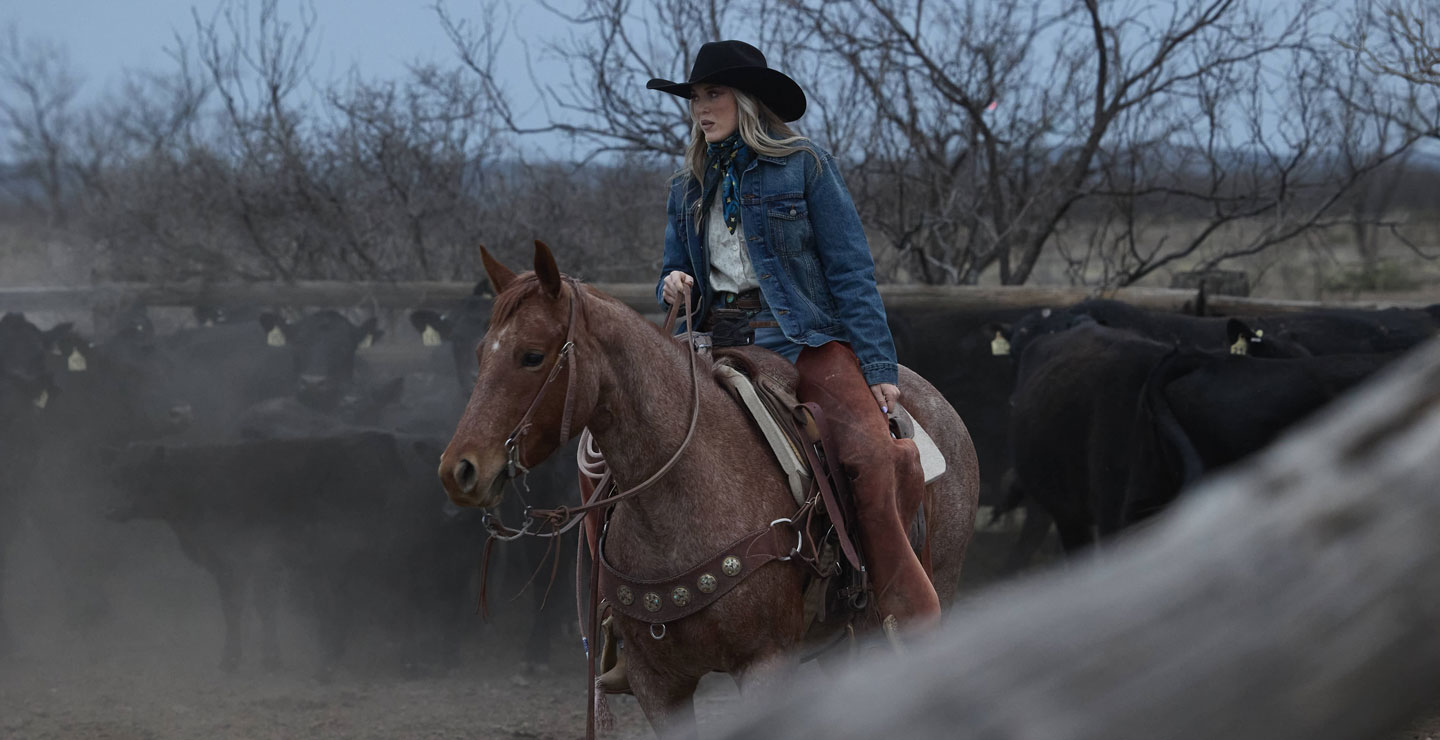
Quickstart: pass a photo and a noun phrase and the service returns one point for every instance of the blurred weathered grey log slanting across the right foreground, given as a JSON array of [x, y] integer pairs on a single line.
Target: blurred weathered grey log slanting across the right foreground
[[1297, 598]]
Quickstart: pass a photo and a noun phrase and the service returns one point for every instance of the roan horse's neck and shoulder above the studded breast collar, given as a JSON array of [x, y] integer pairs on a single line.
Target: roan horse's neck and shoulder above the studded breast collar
[[644, 407]]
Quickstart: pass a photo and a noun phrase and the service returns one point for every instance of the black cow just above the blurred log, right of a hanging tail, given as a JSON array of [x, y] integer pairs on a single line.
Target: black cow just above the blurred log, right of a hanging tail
[[1200, 412]]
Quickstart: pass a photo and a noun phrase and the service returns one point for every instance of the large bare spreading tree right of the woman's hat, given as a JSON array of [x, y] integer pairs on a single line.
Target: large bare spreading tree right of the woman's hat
[[1006, 130]]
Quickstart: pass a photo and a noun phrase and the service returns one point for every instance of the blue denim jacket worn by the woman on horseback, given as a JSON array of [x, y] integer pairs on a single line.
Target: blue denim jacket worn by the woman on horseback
[[809, 251]]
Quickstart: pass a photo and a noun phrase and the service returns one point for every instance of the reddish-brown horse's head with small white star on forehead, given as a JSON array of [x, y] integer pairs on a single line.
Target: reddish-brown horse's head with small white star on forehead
[[528, 387]]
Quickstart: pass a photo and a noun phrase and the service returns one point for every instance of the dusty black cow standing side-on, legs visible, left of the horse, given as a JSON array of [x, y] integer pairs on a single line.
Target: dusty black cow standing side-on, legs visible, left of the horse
[[351, 523]]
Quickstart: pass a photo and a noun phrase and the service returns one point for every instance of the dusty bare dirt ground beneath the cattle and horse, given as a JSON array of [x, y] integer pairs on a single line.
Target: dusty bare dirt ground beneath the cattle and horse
[[148, 672]]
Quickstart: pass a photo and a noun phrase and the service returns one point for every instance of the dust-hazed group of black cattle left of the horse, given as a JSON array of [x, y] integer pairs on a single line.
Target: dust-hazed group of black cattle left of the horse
[[294, 471]]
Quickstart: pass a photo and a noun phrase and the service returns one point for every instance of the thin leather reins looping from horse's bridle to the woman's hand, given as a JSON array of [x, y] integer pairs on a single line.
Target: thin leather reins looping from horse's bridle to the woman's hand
[[551, 523]]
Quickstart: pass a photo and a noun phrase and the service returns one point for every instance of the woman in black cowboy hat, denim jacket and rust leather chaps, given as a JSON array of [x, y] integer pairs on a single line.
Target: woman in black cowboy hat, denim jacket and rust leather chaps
[[761, 227]]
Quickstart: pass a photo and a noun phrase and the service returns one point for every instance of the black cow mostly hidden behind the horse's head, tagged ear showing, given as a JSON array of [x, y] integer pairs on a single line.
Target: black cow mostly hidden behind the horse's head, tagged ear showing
[[552, 484]]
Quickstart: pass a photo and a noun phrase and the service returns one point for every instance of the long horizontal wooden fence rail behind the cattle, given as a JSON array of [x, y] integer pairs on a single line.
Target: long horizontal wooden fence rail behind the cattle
[[325, 294]]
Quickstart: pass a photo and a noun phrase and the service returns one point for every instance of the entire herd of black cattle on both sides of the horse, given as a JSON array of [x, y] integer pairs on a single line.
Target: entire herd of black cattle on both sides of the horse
[[300, 474]]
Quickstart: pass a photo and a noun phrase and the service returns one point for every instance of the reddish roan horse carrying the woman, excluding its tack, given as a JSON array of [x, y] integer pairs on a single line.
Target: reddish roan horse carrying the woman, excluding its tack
[[631, 385]]
